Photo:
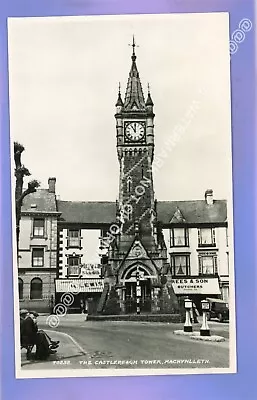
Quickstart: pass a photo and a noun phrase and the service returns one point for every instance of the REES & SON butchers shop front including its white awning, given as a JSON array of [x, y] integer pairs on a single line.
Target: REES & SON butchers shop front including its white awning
[[197, 289]]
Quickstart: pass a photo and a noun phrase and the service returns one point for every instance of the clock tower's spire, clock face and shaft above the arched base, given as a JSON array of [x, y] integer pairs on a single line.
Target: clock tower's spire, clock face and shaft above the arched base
[[135, 148]]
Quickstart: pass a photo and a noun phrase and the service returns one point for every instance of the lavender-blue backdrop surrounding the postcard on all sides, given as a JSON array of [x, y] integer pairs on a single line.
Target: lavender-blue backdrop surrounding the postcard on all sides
[[242, 385]]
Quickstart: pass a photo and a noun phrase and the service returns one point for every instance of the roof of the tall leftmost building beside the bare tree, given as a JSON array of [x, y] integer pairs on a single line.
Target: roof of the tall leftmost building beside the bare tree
[[41, 201]]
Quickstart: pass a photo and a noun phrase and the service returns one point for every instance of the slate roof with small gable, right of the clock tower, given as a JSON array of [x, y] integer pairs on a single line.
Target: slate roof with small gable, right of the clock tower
[[193, 211]]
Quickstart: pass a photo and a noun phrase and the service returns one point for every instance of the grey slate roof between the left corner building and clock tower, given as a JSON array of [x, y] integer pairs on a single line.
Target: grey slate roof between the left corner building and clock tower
[[91, 212]]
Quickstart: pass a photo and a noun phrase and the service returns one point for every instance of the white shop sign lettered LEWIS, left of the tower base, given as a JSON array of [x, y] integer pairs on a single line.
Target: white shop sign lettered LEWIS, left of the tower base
[[79, 285]]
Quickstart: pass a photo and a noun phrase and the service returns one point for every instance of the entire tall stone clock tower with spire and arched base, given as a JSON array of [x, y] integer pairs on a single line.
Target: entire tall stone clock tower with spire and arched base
[[138, 255]]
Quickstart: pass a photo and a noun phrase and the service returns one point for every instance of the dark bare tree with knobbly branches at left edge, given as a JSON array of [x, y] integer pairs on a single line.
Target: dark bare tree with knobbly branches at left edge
[[20, 172]]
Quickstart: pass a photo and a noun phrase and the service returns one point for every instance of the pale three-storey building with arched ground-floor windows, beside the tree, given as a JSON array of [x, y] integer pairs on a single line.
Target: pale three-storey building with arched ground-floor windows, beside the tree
[[37, 255]]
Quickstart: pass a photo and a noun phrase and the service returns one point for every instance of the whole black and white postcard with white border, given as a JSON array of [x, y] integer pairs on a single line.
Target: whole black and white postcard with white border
[[122, 199]]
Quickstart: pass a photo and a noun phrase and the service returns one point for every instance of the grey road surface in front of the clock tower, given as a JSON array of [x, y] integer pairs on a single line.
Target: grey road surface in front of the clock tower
[[123, 344]]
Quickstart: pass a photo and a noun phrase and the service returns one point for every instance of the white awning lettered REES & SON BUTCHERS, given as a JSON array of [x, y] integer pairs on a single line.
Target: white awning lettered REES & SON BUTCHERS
[[196, 286]]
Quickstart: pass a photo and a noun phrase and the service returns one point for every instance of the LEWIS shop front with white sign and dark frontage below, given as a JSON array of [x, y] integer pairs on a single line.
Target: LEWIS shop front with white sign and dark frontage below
[[82, 295]]
